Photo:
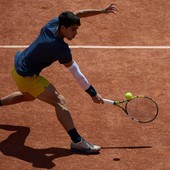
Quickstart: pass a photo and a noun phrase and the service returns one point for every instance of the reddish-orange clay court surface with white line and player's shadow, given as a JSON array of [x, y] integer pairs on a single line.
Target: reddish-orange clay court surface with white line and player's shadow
[[133, 55]]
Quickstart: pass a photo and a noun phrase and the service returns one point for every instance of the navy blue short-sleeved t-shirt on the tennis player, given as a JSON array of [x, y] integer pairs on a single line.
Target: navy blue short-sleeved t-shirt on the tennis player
[[46, 49]]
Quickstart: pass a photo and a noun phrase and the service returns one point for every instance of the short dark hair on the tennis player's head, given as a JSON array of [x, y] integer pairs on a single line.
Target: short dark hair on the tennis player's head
[[68, 18]]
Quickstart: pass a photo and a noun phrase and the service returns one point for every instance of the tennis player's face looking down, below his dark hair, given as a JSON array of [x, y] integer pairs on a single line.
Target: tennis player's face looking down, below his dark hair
[[70, 32]]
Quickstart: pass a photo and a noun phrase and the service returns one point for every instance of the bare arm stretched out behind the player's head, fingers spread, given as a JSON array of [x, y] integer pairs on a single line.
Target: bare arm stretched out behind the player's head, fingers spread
[[91, 12]]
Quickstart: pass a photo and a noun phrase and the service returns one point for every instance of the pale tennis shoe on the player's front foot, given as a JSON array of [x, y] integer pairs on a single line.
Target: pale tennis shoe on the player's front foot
[[85, 147]]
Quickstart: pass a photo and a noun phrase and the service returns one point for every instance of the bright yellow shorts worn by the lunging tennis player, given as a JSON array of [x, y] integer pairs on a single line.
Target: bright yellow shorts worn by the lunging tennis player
[[34, 85]]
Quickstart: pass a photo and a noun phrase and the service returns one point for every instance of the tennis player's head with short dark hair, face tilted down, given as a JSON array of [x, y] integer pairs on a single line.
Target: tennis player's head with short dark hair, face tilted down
[[68, 24]]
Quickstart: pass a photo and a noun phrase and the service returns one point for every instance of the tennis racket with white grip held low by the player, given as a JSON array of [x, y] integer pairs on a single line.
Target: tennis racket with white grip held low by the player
[[141, 109]]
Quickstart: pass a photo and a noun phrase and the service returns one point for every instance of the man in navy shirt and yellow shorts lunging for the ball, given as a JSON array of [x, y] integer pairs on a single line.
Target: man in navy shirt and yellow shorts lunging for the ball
[[46, 49]]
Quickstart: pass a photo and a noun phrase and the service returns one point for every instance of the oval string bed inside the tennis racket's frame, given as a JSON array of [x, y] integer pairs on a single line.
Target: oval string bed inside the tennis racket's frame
[[142, 109]]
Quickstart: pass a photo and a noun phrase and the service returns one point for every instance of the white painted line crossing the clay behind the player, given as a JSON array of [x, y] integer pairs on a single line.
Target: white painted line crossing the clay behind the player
[[96, 47]]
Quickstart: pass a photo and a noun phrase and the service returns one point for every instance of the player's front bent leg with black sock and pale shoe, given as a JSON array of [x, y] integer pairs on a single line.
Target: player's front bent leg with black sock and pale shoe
[[53, 97]]
